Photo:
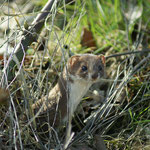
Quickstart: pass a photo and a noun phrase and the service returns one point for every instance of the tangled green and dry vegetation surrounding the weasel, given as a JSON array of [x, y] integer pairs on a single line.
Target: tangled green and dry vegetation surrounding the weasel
[[118, 29]]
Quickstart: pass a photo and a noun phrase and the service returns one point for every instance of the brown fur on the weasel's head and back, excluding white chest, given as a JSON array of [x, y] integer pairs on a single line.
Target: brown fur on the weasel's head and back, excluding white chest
[[55, 104]]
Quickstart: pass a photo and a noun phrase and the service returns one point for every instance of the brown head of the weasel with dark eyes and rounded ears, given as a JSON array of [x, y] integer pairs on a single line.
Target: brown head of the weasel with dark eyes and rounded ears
[[86, 67]]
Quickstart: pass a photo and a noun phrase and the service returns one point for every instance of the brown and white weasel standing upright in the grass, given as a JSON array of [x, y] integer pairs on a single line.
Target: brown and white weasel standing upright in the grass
[[80, 72]]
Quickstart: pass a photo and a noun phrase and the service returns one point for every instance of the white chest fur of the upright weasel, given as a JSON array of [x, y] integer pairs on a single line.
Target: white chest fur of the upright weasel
[[77, 90]]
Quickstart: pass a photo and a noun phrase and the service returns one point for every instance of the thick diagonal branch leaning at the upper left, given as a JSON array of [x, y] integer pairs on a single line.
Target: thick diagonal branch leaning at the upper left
[[28, 37]]
